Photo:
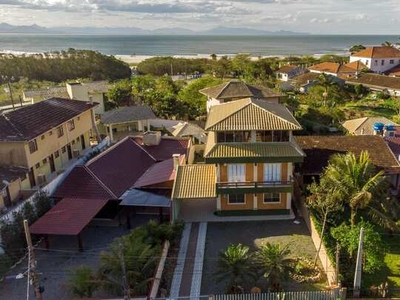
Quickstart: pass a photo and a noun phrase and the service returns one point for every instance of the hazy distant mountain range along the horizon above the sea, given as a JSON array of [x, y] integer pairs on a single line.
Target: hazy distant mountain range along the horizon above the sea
[[7, 28]]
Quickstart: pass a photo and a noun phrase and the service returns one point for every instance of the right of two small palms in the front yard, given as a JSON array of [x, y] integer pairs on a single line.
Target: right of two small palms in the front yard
[[275, 262]]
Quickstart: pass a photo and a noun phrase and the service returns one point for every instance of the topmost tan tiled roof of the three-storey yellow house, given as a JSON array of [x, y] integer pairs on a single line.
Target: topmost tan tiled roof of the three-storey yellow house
[[250, 114]]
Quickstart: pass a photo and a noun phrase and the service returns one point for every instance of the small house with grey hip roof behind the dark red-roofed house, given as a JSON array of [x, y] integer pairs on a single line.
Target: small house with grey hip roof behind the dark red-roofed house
[[121, 122]]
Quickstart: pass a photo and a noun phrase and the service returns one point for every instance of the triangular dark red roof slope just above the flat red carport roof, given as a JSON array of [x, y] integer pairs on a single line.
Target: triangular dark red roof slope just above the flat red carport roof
[[82, 183]]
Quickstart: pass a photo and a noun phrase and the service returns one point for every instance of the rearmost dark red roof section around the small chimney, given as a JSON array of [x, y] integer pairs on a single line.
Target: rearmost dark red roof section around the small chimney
[[167, 147]]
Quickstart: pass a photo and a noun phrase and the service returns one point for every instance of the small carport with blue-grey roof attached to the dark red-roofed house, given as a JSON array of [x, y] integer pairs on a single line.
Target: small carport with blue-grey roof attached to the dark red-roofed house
[[135, 198]]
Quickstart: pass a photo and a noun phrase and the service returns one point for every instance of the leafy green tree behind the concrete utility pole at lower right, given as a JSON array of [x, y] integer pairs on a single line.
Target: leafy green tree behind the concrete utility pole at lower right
[[373, 248]]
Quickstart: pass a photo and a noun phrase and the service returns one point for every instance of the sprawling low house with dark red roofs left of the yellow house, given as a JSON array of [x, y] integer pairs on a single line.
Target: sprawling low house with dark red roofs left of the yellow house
[[97, 188]]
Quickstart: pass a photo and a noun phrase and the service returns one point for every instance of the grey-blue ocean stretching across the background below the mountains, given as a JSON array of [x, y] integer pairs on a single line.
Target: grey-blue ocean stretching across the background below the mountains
[[191, 45]]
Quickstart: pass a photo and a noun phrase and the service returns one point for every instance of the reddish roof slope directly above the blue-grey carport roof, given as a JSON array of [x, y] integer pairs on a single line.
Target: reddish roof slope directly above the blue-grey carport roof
[[158, 173]]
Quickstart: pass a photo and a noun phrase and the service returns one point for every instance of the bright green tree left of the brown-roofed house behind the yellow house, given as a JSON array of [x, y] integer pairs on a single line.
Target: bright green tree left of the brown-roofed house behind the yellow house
[[195, 102]]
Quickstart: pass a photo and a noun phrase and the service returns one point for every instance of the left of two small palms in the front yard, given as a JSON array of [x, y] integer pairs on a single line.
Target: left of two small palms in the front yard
[[235, 265]]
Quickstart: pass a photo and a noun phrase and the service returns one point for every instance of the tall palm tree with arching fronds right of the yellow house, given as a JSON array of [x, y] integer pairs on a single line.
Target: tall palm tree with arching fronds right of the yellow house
[[359, 183]]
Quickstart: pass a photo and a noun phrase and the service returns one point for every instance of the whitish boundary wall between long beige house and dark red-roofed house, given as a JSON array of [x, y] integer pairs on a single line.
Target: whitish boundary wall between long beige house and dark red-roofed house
[[52, 186]]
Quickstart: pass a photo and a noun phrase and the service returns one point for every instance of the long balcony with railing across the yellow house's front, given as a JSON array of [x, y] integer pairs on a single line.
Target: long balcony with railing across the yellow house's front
[[254, 186]]
